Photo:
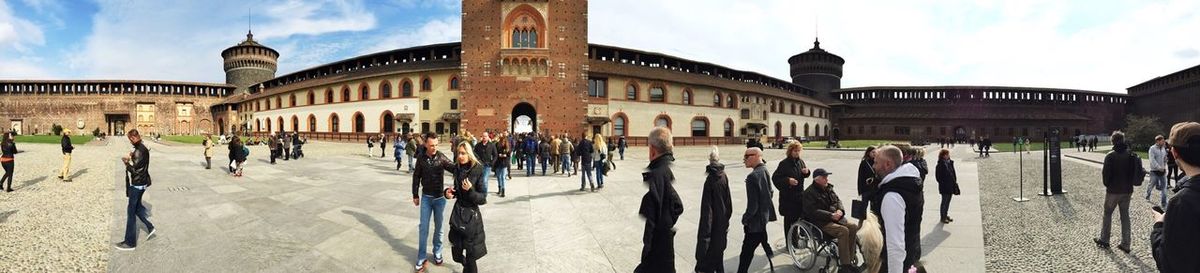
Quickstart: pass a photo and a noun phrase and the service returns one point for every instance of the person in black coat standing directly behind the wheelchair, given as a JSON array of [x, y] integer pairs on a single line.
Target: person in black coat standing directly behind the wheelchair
[[789, 179]]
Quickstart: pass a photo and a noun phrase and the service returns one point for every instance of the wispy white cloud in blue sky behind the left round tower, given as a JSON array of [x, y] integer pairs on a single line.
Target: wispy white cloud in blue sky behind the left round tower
[[183, 40]]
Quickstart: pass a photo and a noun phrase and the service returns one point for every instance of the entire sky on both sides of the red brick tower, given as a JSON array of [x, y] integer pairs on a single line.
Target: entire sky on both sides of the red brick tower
[[1103, 46]]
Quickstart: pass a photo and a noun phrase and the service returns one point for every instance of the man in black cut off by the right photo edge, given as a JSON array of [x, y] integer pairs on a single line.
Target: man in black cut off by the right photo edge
[[1174, 239]]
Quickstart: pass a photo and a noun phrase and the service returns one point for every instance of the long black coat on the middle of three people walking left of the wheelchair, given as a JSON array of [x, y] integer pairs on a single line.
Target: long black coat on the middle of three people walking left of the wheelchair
[[716, 209]]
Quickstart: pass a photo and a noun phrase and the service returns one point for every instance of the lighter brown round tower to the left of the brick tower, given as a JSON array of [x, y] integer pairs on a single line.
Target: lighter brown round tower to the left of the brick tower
[[249, 64]]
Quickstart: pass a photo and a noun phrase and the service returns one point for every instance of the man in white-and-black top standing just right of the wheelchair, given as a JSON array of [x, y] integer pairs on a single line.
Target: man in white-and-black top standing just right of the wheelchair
[[899, 204]]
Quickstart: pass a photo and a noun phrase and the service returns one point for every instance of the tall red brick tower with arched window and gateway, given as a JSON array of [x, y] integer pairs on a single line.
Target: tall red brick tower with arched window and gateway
[[525, 65]]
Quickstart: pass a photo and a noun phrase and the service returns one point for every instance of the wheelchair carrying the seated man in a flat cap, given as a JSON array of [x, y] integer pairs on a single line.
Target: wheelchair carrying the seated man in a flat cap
[[807, 244]]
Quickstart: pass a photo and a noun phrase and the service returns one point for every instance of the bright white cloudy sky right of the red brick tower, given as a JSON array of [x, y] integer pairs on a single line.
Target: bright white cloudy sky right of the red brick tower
[[1018, 44]]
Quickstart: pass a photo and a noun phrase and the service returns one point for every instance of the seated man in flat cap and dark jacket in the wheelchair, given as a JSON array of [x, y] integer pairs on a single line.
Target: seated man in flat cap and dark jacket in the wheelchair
[[824, 210]]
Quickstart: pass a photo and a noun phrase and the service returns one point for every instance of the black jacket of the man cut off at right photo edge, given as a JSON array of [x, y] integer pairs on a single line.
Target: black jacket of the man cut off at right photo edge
[[1173, 242]]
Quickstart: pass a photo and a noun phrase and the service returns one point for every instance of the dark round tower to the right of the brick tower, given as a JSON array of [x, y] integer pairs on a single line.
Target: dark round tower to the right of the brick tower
[[818, 70]]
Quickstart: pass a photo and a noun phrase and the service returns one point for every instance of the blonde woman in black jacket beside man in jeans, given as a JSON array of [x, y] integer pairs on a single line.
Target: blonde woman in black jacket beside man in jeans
[[466, 235]]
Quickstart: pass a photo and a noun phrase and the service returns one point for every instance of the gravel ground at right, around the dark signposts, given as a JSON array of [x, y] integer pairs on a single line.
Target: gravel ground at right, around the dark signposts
[[1055, 234]]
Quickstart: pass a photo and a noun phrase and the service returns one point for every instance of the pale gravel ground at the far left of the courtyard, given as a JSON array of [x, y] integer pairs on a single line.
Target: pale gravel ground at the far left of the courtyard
[[49, 226]]
